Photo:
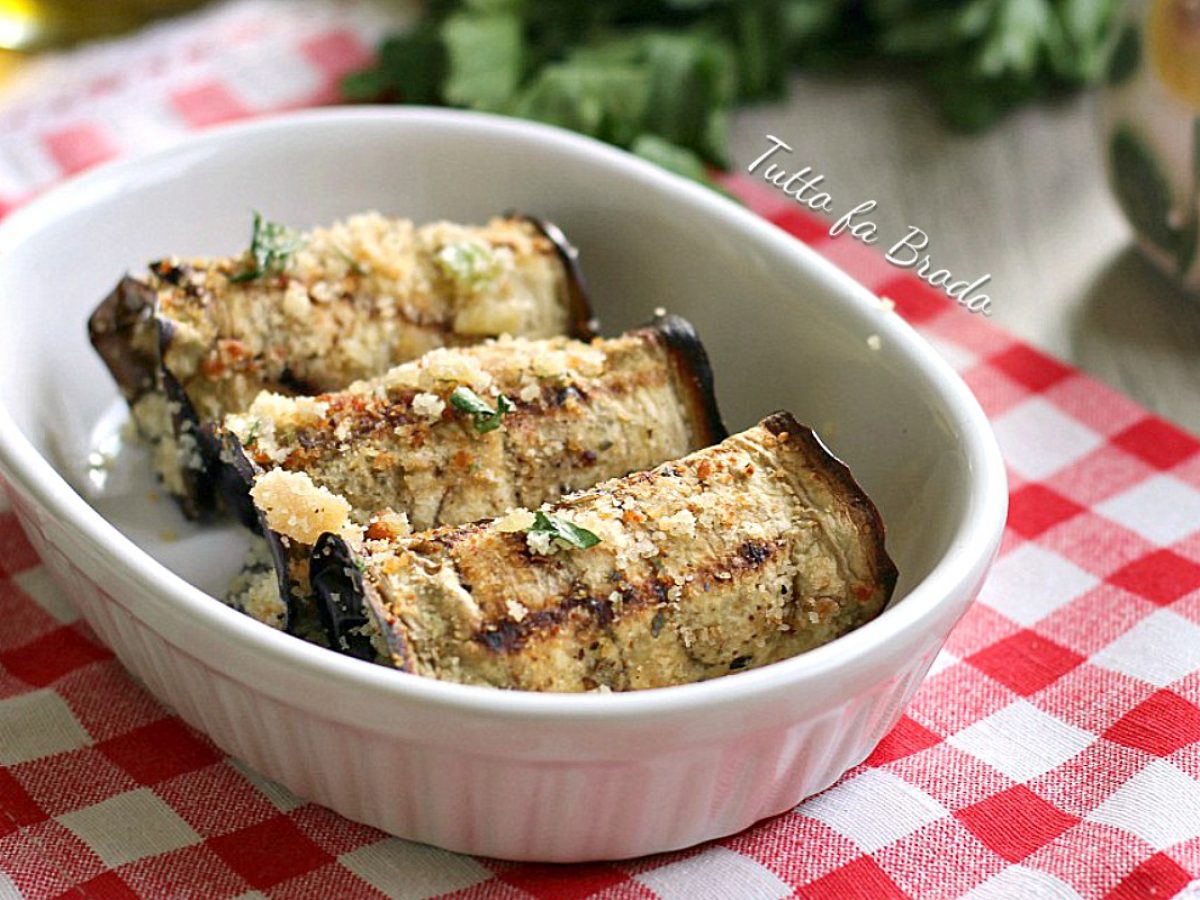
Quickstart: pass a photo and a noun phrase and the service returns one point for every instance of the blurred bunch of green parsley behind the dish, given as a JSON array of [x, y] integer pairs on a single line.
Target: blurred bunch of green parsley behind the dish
[[661, 77]]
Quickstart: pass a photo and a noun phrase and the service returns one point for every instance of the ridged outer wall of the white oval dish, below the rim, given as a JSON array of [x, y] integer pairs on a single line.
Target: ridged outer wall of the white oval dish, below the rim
[[595, 801]]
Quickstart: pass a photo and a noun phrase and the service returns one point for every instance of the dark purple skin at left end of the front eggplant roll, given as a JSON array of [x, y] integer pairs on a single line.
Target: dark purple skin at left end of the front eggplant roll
[[340, 597]]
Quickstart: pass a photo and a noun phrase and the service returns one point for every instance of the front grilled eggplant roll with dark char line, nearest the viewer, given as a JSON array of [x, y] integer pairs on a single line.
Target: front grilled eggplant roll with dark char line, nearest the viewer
[[731, 559]]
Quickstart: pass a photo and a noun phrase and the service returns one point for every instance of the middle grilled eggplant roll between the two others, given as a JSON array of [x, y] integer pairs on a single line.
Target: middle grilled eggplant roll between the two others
[[410, 452]]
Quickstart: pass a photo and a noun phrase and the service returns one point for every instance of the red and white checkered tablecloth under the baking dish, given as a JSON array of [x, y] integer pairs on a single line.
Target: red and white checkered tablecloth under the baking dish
[[1054, 751]]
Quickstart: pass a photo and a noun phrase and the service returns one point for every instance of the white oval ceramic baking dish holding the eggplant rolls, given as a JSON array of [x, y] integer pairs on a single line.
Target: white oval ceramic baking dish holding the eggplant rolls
[[508, 775]]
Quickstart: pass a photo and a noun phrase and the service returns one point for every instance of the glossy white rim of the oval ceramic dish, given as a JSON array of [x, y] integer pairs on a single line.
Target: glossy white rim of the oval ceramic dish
[[971, 548]]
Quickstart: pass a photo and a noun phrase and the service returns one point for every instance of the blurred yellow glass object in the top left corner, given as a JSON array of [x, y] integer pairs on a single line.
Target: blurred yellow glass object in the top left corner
[[28, 26]]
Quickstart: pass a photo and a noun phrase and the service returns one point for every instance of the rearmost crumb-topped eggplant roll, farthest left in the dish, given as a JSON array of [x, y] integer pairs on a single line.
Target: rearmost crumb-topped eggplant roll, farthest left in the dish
[[189, 343]]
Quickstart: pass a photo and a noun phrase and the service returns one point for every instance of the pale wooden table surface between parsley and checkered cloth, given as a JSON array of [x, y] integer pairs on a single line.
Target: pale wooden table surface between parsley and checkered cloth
[[1027, 202]]
